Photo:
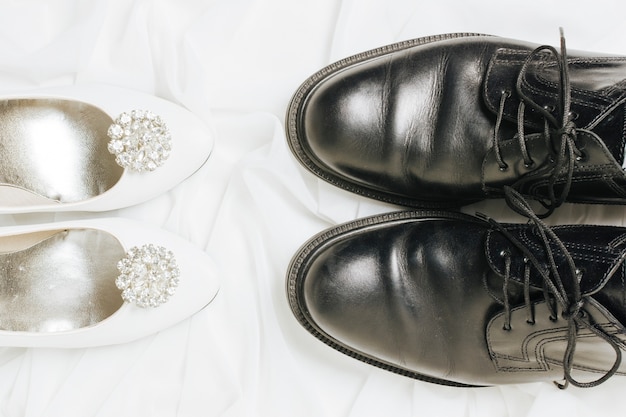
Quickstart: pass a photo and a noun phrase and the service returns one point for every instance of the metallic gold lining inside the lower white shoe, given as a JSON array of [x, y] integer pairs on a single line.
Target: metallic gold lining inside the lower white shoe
[[58, 280]]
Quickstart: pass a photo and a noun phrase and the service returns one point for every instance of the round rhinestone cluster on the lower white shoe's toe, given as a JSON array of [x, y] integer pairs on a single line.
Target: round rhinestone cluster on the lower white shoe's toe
[[148, 275]]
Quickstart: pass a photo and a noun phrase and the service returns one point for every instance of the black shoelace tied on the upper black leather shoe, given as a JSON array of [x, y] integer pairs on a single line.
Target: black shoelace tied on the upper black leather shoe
[[560, 135]]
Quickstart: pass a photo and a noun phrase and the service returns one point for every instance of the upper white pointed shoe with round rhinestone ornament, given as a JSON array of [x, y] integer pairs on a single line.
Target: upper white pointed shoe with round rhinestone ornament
[[94, 148]]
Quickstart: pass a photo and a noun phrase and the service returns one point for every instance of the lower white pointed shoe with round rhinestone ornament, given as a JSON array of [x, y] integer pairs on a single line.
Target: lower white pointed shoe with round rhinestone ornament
[[97, 282]]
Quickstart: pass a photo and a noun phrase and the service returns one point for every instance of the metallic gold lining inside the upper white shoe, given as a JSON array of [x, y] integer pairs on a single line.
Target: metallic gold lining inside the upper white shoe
[[56, 149]]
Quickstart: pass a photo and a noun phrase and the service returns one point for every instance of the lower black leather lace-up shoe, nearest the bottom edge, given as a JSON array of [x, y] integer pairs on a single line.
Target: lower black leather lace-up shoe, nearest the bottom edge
[[457, 300]]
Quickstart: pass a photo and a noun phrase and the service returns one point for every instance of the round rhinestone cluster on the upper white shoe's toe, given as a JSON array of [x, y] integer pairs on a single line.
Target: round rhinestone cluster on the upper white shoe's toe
[[140, 140]]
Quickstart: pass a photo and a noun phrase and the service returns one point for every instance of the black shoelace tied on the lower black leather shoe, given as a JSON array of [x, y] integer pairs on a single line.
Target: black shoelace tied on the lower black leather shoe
[[572, 303]]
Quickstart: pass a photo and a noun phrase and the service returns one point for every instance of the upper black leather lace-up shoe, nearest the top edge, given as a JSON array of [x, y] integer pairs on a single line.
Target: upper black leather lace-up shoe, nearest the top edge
[[448, 120]]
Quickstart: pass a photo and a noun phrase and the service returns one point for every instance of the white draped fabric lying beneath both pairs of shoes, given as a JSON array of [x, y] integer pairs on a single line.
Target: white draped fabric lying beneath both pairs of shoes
[[235, 63]]
